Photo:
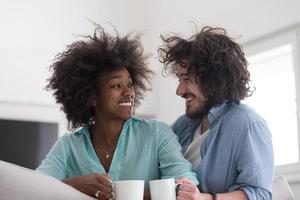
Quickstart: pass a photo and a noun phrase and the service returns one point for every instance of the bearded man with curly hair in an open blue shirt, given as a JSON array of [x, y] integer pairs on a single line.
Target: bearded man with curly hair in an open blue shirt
[[228, 144]]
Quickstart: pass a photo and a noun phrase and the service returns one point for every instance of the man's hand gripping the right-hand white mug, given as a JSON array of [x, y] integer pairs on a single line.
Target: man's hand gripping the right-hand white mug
[[189, 191]]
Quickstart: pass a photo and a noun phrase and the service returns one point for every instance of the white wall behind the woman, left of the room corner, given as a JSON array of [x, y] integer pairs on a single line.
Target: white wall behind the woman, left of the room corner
[[32, 32]]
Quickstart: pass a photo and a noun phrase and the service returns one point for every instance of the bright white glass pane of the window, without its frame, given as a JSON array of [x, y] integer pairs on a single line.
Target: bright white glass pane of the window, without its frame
[[273, 76]]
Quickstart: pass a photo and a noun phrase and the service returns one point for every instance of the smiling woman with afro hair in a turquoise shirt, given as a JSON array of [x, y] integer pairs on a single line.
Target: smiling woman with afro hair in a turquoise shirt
[[98, 81]]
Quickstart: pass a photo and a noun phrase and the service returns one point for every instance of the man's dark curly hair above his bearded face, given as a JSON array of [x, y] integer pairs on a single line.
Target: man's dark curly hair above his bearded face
[[217, 61]]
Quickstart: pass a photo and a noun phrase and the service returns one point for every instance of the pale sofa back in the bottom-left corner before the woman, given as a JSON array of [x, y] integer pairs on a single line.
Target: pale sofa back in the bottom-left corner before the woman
[[21, 183]]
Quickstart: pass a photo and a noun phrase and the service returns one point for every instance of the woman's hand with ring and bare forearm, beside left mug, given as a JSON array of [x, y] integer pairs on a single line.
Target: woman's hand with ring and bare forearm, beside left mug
[[96, 185]]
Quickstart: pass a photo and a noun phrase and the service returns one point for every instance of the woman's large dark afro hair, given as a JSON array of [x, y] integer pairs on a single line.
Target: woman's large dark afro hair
[[77, 69]]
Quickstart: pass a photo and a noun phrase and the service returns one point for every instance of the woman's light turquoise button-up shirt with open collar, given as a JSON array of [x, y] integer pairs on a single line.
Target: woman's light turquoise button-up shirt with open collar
[[146, 150]]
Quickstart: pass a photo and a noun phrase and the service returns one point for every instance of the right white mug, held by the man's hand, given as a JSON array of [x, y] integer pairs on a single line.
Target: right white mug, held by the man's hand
[[163, 189]]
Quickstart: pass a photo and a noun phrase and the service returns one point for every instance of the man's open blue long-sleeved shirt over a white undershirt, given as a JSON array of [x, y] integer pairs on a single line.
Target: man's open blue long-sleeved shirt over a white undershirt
[[237, 153]]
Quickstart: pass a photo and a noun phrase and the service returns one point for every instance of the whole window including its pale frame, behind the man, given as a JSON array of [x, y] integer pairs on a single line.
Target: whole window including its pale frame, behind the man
[[274, 73]]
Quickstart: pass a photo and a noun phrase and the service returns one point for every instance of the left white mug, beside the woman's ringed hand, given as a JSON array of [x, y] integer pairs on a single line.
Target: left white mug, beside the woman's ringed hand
[[129, 190]]
